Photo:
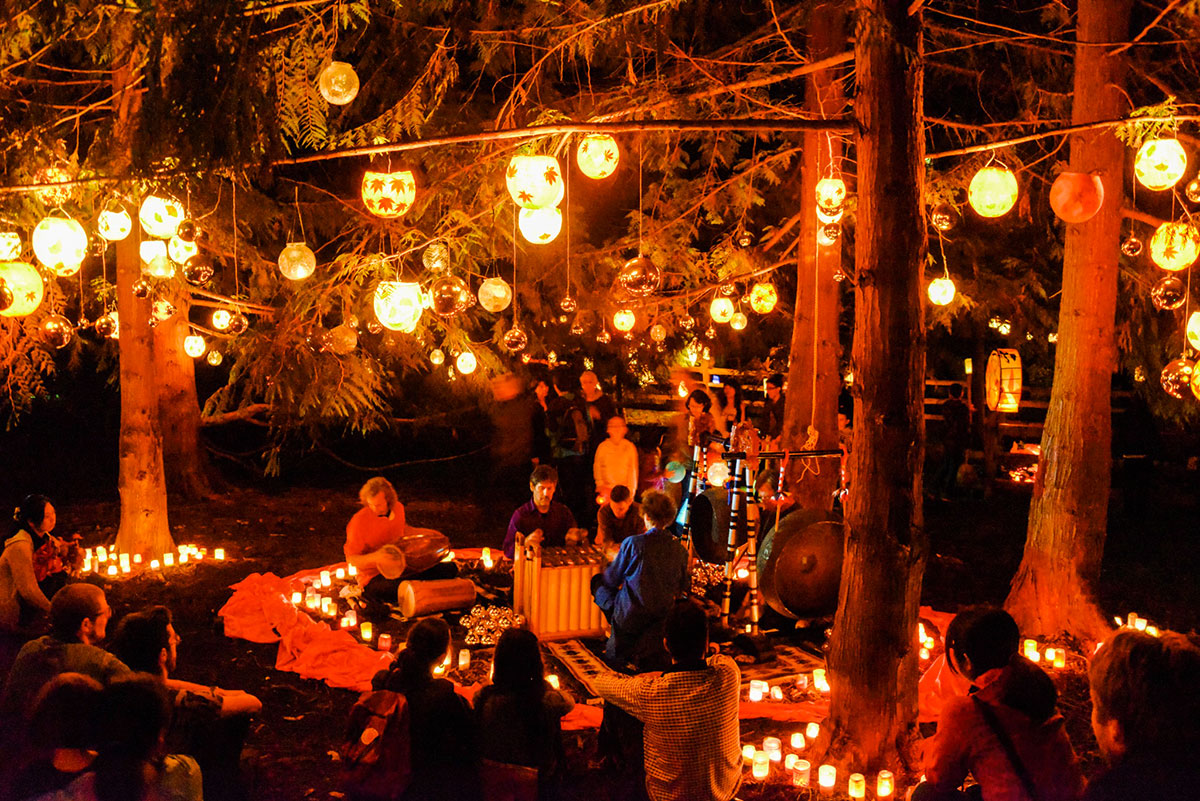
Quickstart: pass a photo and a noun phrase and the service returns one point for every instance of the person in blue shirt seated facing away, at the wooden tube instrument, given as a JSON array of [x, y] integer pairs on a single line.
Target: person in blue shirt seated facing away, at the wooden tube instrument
[[639, 588]]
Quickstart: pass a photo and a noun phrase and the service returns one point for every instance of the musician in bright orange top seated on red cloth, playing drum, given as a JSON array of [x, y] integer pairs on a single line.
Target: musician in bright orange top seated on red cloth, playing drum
[[386, 551]]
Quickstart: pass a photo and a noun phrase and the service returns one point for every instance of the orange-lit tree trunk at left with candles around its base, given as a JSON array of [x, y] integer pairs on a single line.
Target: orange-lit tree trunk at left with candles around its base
[[143, 527]]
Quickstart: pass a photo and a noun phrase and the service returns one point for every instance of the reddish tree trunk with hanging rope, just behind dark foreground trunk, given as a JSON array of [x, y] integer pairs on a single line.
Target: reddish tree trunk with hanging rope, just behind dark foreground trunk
[[813, 372]]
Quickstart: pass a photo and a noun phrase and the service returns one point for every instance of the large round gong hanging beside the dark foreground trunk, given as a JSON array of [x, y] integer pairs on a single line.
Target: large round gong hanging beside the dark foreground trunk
[[800, 564]]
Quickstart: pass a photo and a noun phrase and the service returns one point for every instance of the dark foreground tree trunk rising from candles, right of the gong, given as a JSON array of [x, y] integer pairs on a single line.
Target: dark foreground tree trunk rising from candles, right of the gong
[[873, 655]]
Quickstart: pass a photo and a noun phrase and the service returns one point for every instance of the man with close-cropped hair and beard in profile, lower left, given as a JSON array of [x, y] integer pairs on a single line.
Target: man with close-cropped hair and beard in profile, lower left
[[80, 618]]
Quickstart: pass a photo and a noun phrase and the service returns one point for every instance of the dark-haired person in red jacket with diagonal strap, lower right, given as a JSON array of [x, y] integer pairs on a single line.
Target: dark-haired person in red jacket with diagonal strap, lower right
[[1006, 732]]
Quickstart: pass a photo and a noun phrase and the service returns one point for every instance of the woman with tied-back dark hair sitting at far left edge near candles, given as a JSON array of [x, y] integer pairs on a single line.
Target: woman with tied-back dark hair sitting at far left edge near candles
[[34, 564]]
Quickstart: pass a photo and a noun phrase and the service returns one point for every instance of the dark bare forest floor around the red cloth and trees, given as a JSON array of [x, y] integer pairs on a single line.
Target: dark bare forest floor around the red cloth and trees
[[1150, 568]]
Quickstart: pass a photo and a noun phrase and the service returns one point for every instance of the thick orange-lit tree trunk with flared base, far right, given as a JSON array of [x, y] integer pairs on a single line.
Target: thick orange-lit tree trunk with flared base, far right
[[1053, 589]]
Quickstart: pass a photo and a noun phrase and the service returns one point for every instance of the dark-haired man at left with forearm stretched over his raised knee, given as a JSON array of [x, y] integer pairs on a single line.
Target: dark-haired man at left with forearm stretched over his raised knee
[[208, 724]]
